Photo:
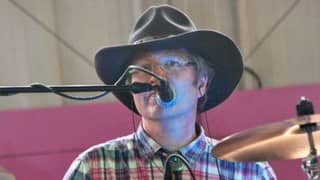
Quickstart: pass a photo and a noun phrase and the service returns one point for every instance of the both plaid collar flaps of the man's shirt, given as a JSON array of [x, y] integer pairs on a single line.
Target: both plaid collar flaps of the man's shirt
[[192, 152]]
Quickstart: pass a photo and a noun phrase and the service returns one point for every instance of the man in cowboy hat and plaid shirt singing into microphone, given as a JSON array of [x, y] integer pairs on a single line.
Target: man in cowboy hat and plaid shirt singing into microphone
[[201, 68]]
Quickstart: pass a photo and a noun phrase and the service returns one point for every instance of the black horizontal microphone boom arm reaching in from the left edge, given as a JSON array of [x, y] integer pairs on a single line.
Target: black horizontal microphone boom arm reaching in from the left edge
[[40, 88]]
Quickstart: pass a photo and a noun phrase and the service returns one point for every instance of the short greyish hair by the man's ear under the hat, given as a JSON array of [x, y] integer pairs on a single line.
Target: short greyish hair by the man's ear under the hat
[[203, 69]]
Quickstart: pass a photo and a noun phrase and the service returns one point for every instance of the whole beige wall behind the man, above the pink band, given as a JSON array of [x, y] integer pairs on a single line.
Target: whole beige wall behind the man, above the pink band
[[288, 56]]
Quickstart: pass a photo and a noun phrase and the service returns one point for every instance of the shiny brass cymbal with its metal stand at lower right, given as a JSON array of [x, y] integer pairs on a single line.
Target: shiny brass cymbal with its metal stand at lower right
[[296, 138]]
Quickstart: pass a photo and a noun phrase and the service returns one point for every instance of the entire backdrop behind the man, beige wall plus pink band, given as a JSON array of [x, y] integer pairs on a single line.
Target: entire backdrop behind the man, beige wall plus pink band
[[54, 42]]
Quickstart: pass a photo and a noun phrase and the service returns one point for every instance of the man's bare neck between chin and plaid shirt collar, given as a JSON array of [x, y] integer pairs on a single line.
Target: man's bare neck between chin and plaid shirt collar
[[171, 134]]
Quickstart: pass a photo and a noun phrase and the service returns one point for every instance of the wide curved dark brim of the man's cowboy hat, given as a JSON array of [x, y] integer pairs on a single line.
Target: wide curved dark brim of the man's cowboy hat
[[217, 49]]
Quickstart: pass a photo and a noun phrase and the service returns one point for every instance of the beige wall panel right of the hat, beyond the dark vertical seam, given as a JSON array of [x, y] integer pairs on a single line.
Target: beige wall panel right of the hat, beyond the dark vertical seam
[[290, 55]]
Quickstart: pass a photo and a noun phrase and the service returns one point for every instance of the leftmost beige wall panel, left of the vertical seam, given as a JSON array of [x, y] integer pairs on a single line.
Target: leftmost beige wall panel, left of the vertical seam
[[27, 53]]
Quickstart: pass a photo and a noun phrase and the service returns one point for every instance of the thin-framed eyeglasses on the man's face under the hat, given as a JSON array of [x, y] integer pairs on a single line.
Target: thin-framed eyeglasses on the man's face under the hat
[[168, 64]]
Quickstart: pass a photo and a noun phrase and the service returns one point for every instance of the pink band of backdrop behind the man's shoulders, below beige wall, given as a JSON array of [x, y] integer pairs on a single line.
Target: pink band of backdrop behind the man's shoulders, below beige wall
[[41, 143]]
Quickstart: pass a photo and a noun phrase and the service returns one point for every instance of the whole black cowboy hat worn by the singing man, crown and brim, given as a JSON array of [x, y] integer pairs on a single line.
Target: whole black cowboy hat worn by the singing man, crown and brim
[[165, 27]]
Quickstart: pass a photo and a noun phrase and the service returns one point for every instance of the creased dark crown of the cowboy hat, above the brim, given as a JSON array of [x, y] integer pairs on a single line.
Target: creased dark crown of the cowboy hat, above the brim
[[159, 22]]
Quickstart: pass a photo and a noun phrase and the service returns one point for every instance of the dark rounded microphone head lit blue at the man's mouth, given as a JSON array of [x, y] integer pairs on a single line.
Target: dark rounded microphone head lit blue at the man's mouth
[[165, 96]]
